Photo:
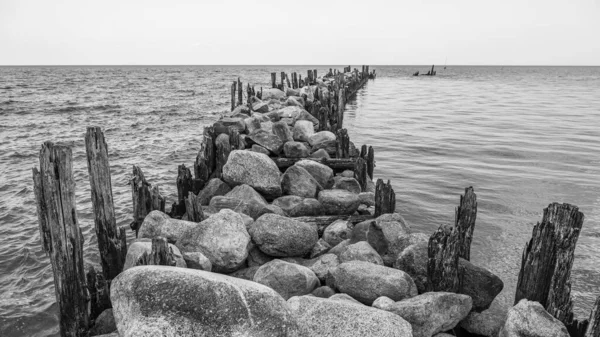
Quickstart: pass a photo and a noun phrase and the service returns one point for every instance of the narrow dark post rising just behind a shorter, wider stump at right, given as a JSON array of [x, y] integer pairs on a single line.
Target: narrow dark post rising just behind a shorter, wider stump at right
[[464, 222]]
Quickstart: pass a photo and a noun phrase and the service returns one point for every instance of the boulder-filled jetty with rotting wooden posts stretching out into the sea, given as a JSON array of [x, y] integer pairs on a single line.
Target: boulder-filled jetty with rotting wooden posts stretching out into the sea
[[279, 229]]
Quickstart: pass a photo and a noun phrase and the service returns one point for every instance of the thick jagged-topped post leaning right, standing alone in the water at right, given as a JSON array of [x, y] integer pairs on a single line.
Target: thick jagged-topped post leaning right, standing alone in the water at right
[[545, 274]]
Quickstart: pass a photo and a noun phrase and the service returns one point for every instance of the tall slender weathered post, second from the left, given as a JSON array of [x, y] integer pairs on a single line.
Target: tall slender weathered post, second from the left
[[111, 245]]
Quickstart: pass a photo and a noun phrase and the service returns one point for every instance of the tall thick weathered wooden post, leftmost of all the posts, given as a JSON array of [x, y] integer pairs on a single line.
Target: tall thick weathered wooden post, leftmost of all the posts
[[62, 240]]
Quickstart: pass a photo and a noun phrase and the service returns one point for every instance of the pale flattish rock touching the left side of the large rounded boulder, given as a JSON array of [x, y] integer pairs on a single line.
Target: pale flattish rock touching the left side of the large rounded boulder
[[157, 223]]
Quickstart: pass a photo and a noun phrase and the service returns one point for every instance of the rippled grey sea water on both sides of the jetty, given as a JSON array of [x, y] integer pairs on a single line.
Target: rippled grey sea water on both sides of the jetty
[[523, 137]]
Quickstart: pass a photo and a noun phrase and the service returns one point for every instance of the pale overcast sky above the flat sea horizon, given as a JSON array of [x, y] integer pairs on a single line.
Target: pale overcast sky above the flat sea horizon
[[224, 32]]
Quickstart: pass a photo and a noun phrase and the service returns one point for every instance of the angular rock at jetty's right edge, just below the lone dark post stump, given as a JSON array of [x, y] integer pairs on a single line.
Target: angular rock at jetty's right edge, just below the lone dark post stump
[[384, 234]]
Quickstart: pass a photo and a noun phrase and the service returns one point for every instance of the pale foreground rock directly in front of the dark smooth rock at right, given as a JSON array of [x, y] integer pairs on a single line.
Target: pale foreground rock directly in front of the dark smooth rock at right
[[432, 312]]
